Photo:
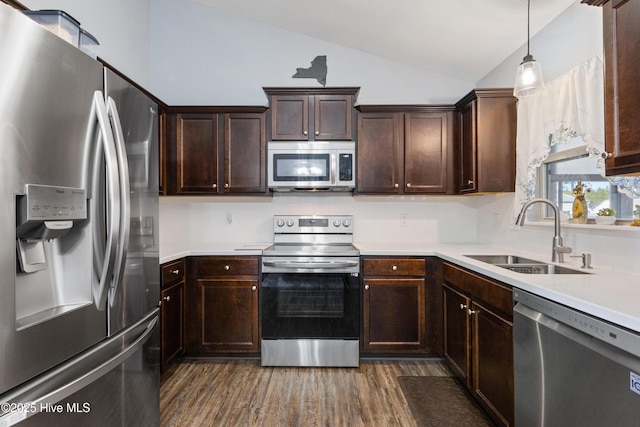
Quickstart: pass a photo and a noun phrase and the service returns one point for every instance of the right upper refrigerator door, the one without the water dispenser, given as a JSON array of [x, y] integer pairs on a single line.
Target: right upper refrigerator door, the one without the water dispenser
[[135, 123]]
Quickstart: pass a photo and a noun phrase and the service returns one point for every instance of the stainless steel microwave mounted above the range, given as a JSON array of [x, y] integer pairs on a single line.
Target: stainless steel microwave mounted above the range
[[309, 166]]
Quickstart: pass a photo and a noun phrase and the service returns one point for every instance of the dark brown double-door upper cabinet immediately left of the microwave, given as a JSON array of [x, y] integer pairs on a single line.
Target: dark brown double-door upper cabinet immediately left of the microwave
[[213, 151]]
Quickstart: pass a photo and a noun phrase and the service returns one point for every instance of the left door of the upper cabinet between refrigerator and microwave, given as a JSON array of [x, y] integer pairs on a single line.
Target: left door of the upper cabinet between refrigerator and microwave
[[198, 143]]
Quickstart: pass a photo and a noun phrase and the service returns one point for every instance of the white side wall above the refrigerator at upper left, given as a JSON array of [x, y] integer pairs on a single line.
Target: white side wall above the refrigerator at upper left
[[121, 27]]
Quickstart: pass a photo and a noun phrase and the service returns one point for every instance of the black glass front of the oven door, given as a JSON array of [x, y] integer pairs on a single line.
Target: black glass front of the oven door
[[310, 306]]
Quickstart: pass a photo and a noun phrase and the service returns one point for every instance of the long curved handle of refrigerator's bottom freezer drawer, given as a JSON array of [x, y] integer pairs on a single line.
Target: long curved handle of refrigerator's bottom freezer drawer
[[34, 404]]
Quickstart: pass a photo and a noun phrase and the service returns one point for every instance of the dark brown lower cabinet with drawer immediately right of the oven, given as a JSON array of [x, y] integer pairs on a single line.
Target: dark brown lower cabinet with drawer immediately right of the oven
[[394, 306]]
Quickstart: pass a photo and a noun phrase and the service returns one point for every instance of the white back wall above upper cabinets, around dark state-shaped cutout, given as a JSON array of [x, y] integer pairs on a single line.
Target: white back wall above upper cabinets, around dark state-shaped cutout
[[203, 56]]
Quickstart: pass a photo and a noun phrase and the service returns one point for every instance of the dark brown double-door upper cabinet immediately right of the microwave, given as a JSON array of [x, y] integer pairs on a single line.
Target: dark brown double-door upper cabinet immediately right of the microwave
[[406, 150]]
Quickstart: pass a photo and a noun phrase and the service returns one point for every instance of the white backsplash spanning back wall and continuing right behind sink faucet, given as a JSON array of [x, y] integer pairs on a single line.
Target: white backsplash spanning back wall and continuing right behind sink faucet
[[192, 221]]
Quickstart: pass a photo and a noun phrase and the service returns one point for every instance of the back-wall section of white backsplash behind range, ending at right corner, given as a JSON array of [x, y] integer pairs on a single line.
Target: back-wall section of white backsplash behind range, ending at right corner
[[377, 218]]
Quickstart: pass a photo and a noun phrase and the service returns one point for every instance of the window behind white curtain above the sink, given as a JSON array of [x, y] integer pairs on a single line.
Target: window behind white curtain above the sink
[[566, 165]]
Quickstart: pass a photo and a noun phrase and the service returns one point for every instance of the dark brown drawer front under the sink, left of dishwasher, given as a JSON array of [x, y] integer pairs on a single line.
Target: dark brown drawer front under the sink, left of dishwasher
[[493, 293]]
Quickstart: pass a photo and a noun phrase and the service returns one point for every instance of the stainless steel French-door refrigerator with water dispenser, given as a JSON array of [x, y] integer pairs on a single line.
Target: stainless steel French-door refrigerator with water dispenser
[[79, 276]]
